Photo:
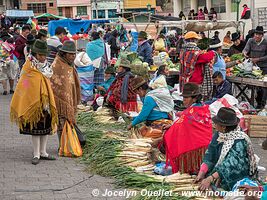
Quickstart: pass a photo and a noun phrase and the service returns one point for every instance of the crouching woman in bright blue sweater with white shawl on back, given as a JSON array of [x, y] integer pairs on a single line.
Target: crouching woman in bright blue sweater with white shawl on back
[[157, 105]]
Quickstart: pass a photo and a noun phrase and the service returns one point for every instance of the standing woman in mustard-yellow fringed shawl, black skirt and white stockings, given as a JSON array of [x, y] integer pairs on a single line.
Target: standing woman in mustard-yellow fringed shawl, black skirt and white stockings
[[33, 106]]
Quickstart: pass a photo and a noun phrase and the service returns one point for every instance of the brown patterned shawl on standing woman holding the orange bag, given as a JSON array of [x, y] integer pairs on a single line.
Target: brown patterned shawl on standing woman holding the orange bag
[[66, 87]]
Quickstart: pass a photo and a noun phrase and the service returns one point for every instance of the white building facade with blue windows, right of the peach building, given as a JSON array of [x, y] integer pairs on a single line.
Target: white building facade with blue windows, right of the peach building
[[106, 9]]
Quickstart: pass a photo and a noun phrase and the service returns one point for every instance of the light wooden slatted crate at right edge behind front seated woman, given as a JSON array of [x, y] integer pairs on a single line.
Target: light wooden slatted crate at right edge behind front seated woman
[[257, 126]]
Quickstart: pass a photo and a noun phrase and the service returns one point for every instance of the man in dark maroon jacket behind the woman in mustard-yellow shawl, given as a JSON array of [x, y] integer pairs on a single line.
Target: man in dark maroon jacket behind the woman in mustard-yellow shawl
[[20, 44]]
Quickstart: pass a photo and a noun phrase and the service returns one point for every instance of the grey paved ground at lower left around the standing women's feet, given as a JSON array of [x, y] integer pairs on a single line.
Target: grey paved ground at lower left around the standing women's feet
[[48, 180]]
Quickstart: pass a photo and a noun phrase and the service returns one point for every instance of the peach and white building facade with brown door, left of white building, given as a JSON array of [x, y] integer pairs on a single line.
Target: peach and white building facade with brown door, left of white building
[[74, 8]]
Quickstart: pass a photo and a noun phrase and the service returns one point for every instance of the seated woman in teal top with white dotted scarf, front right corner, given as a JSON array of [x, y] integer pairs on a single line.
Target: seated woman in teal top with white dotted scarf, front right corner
[[230, 156]]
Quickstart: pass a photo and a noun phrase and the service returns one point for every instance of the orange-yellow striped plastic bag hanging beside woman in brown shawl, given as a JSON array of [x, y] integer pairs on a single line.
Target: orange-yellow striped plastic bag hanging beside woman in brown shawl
[[69, 142]]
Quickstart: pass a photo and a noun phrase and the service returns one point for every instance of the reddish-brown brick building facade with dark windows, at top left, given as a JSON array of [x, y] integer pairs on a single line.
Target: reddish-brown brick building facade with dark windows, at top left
[[40, 6]]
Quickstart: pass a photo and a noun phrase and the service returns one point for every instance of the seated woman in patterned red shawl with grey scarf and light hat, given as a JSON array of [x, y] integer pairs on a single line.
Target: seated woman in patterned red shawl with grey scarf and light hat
[[120, 93]]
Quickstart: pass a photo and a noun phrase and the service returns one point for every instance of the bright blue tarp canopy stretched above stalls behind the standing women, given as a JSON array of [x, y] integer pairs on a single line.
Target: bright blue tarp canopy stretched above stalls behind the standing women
[[73, 26]]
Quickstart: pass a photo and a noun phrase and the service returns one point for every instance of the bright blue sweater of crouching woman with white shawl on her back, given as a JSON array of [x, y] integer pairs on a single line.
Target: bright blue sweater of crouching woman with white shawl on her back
[[148, 112]]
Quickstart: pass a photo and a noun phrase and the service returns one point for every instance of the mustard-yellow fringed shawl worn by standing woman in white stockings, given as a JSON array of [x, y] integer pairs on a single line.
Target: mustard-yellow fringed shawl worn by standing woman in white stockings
[[32, 96]]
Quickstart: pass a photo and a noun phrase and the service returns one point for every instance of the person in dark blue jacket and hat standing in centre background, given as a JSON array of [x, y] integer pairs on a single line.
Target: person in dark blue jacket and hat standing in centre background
[[144, 48]]
